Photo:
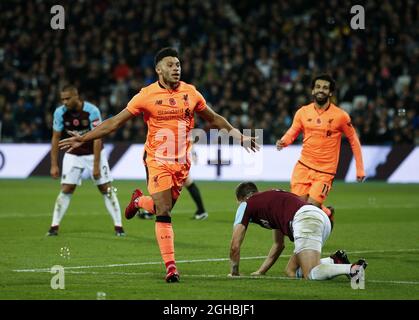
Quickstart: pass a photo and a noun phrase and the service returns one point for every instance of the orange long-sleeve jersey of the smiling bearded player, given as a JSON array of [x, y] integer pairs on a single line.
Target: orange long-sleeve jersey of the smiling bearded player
[[322, 132]]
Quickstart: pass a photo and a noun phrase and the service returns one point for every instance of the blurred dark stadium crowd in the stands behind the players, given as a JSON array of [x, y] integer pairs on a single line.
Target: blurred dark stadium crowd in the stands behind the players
[[252, 60]]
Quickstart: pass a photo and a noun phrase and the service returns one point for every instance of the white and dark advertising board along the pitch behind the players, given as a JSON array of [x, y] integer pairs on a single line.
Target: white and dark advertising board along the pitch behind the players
[[224, 162]]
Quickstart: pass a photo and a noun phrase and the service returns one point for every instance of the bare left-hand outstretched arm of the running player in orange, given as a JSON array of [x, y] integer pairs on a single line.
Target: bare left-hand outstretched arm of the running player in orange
[[100, 131]]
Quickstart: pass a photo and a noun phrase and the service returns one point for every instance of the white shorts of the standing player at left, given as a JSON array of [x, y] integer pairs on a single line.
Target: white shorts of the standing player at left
[[73, 167]]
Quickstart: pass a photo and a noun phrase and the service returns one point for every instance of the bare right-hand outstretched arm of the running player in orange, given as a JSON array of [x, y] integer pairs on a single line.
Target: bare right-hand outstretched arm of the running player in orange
[[217, 121]]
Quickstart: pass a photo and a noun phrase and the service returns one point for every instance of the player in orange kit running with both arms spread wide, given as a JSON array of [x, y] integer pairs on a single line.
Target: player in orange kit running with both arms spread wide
[[168, 106]]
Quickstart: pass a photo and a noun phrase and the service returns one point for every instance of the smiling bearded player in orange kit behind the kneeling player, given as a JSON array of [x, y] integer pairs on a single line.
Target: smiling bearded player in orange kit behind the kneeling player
[[322, 124]]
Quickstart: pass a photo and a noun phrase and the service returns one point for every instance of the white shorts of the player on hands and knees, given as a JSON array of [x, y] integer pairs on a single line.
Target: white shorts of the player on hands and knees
[[311, 229]]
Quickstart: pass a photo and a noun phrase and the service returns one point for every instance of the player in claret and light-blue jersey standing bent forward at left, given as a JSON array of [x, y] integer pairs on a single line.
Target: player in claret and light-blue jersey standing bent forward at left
[[80, 116]]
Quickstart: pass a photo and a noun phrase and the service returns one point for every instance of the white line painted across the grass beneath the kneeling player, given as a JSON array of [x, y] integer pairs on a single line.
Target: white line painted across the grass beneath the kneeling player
[[196, 261]]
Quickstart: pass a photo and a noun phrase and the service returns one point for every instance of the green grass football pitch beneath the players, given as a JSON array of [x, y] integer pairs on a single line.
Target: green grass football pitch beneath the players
[[377, 221]]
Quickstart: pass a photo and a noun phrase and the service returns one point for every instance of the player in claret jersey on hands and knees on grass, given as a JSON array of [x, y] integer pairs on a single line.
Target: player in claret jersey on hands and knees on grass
[[304, 224]]
